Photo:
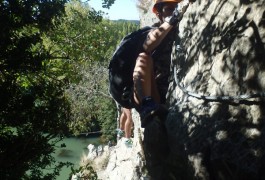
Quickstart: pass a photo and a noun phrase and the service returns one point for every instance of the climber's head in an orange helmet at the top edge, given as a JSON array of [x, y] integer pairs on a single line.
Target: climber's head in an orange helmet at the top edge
[[164, 8]]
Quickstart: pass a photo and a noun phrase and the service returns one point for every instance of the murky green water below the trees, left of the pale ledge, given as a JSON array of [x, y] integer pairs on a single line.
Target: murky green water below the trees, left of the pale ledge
[[75, 148]]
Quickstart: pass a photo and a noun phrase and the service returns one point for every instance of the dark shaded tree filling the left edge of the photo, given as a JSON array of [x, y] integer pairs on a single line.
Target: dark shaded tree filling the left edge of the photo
[[33, 108]]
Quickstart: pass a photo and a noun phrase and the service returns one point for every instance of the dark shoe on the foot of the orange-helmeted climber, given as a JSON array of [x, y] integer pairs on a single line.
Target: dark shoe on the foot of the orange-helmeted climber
[[151, 109]]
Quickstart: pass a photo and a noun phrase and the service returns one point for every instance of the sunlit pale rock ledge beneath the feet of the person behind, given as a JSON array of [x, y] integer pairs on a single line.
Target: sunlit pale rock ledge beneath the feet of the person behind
[[120, 162]]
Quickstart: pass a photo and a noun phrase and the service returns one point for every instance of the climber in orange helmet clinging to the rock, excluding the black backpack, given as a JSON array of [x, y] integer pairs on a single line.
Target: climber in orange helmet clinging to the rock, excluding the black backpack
[[152, 67]]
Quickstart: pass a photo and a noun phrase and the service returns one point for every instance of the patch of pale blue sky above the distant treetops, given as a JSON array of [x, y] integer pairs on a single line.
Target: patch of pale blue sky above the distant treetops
[[121, 9]]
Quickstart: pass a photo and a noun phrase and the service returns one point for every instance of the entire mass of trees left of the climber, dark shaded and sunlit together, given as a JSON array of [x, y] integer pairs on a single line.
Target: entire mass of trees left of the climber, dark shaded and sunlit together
[[53, 80]]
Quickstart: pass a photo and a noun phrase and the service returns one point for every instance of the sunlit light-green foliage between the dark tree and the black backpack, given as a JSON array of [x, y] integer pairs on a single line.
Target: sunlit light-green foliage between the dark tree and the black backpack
[[87, 43]]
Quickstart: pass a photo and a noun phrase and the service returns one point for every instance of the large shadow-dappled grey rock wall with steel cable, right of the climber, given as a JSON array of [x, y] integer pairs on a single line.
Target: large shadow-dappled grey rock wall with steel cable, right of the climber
[[216, 121]]
